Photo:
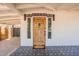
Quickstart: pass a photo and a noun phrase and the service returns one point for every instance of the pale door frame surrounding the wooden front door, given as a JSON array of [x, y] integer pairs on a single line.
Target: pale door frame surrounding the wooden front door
[[32, 29]]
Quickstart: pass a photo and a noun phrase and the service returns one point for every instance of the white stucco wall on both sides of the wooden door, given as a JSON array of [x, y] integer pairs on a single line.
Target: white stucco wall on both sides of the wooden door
[[65, 30]]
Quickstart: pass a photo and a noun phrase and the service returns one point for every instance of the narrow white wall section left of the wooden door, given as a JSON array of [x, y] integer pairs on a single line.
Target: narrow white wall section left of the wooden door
[[24, 40]]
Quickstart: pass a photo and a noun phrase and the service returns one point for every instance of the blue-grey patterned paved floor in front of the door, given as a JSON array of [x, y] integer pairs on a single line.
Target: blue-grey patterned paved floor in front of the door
[[48, 51]]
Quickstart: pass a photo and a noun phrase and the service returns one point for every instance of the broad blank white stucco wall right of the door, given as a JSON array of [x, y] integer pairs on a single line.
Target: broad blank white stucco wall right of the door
[[66, 29]]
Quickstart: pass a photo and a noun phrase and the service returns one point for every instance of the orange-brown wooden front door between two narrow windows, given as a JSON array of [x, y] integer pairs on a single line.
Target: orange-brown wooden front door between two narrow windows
[[39, 32]]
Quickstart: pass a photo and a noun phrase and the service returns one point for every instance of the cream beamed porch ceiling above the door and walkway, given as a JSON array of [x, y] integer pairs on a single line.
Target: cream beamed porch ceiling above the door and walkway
[[14, 11]]
